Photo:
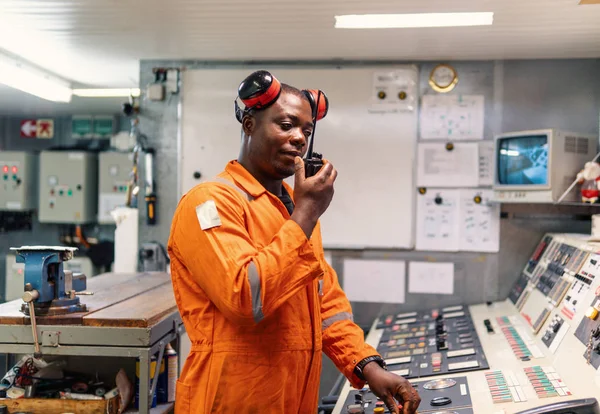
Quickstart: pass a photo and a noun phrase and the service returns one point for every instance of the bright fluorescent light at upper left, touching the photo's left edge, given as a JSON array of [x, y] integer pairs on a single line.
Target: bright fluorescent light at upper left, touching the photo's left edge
[[19, 75]]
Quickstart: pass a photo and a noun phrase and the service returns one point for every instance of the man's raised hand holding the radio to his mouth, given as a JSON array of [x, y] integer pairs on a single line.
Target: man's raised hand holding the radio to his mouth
[[312, 195]]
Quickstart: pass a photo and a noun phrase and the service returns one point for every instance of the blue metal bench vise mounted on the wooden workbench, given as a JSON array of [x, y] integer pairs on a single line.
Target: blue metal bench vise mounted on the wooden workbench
[[51, 289]]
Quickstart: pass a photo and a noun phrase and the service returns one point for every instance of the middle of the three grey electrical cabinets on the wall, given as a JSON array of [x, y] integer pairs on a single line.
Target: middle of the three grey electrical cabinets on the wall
[[68, 187]]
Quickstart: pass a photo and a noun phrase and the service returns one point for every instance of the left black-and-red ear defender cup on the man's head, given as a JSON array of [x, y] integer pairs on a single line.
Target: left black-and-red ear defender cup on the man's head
[[258, 91]]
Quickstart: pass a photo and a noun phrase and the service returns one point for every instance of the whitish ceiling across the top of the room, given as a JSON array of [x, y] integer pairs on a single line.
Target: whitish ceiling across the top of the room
[[100, 42]]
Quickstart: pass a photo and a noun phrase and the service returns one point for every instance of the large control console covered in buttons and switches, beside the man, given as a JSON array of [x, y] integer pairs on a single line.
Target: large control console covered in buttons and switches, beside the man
[[538, 348]]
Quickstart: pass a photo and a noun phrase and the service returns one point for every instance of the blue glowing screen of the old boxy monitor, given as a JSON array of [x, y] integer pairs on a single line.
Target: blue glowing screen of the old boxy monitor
[[523, 160]]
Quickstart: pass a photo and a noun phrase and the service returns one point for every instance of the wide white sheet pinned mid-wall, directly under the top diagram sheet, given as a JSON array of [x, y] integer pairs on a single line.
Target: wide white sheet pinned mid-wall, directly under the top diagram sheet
[[439, 167]]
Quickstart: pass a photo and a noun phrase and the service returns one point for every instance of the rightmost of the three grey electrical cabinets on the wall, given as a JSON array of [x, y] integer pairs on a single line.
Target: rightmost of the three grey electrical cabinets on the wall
[[114, 174]]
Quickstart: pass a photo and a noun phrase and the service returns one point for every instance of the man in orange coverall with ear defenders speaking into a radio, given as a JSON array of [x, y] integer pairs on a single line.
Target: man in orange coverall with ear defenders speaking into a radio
[[259, 301]]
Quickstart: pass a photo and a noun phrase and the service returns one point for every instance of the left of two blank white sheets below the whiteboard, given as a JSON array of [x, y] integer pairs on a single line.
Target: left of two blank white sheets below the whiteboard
[[381, 281]]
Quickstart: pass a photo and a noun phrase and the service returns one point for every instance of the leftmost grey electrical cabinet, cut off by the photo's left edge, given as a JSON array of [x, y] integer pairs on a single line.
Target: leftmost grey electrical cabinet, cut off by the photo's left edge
[[17, 181]]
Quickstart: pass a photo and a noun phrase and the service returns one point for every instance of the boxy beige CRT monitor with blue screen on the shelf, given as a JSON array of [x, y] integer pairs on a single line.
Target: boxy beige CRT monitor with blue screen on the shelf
[[539, 165]]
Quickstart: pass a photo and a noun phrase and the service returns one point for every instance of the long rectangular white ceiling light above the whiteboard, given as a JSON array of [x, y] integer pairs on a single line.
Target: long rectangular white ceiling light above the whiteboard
[[389, 21]]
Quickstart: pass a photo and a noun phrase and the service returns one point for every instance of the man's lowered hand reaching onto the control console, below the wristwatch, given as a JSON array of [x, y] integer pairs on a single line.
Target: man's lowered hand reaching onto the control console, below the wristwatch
[[391, 388]]
